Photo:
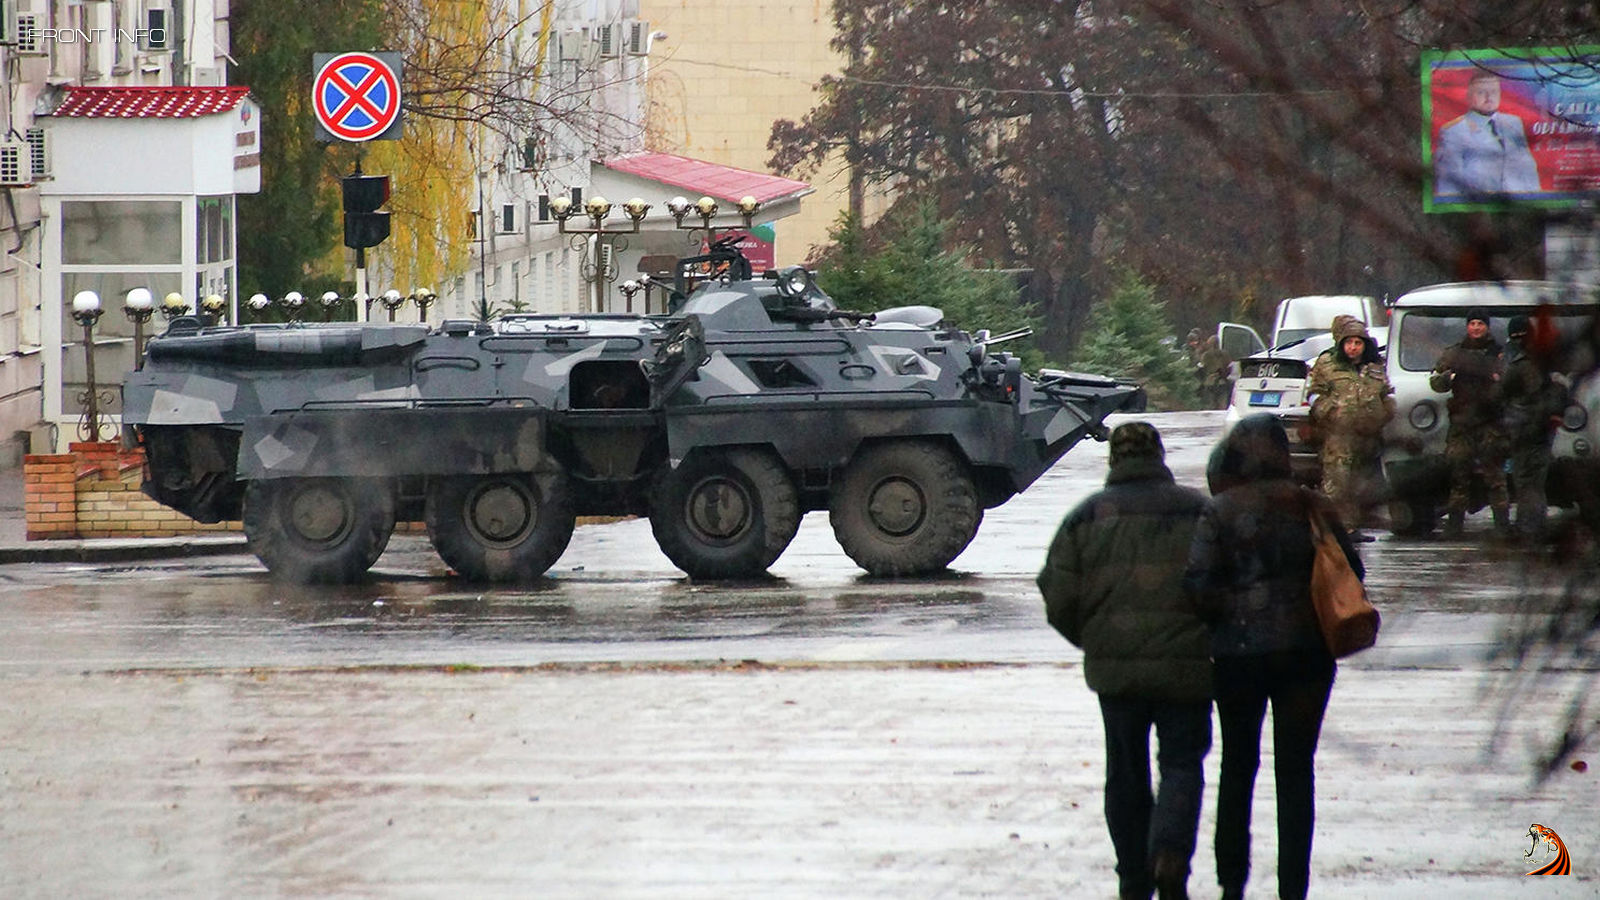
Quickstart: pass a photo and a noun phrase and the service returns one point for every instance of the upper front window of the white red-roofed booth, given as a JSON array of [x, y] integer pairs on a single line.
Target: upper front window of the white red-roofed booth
[[121, 233]]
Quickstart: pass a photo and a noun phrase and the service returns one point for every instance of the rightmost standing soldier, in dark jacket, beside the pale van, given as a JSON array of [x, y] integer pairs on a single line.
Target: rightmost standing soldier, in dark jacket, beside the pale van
[[1534, 411]]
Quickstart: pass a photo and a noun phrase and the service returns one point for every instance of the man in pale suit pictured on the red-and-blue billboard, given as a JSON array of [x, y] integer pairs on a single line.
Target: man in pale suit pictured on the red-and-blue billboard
[[1484, 151]]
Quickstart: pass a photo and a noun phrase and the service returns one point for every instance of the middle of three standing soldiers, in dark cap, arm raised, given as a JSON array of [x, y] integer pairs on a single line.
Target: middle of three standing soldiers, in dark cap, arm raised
[[1471, 372]]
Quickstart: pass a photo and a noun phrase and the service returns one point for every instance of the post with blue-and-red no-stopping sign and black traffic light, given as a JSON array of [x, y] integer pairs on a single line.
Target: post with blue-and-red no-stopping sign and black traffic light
[[356, 97]]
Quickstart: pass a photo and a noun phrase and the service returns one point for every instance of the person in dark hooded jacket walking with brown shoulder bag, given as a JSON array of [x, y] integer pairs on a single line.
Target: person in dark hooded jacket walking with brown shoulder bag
[[1250, 574]]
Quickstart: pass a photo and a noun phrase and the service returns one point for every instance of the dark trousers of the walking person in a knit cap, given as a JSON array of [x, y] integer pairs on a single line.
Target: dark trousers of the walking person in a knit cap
[[1145, 824]]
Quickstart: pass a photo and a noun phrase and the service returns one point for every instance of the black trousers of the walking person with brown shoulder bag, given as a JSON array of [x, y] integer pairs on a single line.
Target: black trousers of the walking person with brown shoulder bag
[[1298, 686]]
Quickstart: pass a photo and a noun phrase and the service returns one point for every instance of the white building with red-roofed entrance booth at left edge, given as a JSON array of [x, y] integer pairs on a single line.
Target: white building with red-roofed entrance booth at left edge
[[124, 158]]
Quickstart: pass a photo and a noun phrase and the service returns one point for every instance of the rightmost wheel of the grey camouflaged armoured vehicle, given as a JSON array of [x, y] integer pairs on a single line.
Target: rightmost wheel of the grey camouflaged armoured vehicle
[[905, 508]]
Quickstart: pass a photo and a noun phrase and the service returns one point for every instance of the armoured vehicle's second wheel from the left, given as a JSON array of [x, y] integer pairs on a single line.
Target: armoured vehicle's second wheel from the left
[[502, 528]]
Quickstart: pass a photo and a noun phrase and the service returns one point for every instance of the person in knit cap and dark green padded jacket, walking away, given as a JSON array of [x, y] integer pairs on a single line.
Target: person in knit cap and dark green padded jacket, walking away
[[1113, 585]]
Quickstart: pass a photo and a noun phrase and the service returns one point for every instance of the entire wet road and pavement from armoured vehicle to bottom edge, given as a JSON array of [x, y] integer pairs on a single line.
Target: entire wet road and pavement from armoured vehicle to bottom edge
[[193, 728]]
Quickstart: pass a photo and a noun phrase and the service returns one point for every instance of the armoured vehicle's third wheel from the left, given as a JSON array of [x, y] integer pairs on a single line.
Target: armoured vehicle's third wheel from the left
[[726, 513]]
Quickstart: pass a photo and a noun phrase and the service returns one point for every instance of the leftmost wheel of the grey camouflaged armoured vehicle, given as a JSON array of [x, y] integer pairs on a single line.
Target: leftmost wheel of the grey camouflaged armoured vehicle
[[319, 531]]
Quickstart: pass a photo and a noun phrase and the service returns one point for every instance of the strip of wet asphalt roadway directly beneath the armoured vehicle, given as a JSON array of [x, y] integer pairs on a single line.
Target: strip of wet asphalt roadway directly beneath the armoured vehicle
[[615, 598]]
